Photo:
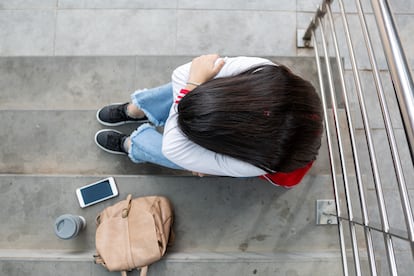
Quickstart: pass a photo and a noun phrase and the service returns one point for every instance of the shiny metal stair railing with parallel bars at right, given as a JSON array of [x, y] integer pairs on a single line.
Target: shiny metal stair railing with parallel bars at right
[[404, 90]]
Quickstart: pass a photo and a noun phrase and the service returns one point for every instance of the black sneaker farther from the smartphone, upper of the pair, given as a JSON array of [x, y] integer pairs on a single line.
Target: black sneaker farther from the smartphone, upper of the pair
[[116, 115]]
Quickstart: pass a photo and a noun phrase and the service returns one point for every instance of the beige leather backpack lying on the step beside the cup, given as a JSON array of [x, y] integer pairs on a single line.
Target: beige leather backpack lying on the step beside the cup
[[133, 233]]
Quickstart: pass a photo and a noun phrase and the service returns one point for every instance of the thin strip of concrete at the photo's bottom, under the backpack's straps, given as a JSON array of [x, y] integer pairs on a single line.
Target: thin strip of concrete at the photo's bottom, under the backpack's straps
[[319, 264]]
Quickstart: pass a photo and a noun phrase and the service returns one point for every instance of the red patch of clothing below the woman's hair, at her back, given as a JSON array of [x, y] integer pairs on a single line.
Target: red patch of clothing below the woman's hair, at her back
[[289, 179]]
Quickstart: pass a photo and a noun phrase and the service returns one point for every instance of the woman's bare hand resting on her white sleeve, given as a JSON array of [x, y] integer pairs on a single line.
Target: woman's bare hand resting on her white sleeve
[[204, 68]]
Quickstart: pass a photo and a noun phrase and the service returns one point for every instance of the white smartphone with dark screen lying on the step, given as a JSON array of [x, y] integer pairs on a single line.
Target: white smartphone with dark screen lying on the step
[[96, 192]]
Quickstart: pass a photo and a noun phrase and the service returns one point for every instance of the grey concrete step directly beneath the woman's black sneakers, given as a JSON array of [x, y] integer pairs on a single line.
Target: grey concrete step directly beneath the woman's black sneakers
[[61, 142]]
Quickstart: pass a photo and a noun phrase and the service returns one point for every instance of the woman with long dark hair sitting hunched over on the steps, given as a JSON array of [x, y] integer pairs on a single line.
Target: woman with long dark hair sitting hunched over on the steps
[[239, 117]]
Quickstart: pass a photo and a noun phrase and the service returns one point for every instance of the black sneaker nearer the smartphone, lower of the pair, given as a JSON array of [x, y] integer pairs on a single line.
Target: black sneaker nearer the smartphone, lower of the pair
[[111, 141]]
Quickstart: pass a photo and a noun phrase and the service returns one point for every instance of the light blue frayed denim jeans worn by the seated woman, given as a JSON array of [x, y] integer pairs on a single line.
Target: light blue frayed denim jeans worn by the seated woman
[[146, 141]]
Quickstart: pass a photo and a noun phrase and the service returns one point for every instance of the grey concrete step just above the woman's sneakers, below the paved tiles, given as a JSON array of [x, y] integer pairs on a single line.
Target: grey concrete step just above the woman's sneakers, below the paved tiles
[[84, 83]]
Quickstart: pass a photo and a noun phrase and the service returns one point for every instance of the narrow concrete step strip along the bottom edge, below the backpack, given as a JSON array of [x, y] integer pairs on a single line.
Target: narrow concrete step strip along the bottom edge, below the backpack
[[47, 263]]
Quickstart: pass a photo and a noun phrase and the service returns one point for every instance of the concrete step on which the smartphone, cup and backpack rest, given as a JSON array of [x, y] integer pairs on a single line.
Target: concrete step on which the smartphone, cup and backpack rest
[[211, 214]]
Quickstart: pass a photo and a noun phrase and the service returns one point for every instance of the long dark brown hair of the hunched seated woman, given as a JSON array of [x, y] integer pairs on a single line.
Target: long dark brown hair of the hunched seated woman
[[266, 116]]
